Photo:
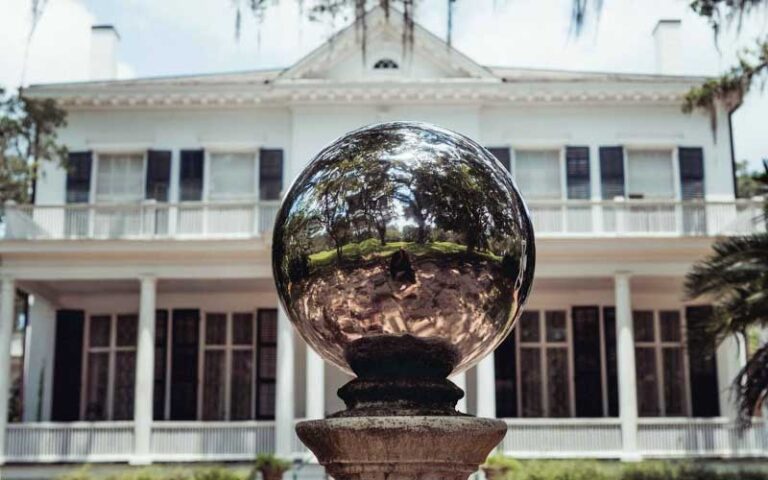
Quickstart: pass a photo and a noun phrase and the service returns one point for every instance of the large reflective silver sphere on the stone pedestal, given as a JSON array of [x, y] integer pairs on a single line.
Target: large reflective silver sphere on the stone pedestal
[[403, 230]]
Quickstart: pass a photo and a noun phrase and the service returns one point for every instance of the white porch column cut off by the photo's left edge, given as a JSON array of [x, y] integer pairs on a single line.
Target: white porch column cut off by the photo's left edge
[[7, 296]]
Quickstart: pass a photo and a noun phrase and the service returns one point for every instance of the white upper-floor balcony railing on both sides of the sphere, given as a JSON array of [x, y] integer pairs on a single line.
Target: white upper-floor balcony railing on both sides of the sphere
[[199, 220]]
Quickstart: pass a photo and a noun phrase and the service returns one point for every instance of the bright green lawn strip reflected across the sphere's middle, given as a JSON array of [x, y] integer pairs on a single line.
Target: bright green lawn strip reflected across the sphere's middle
[[372, 248]]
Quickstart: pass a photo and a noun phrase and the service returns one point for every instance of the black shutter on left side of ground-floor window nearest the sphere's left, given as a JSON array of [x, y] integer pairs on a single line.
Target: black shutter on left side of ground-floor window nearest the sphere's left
[[186, 336]]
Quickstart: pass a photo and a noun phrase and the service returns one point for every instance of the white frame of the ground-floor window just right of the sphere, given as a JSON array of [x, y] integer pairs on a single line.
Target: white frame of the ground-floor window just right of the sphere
[[542, 345]]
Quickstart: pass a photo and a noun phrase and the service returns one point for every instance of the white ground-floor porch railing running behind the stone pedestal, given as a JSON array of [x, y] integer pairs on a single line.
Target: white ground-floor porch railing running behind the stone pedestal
[[242, 441]]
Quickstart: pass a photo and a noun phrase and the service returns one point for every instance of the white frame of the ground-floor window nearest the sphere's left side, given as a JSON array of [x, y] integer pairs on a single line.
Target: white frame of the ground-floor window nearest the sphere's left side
[[228, 348]]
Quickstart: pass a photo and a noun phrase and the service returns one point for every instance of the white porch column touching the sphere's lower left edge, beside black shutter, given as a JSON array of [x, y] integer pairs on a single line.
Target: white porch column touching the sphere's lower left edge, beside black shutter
[[284, 408]]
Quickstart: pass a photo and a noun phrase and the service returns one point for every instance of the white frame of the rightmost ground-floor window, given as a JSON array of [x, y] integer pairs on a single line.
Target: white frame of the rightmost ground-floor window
[[658, 345]]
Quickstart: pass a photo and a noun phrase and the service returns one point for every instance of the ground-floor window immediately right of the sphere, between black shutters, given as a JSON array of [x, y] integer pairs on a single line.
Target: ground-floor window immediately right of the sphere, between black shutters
[[544, 367]]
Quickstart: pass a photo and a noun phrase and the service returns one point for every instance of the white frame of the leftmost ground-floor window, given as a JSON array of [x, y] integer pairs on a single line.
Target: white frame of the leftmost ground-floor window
[[111, 349]]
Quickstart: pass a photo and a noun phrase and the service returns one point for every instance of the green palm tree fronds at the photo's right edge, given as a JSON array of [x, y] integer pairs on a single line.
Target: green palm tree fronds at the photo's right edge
[[735, 278]]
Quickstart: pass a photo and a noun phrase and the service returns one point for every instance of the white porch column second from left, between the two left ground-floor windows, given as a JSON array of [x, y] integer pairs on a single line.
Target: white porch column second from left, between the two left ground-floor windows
[[145, 373]]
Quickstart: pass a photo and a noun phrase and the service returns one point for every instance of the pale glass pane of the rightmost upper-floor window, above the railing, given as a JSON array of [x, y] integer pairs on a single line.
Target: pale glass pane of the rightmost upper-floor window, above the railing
[[649, 173]]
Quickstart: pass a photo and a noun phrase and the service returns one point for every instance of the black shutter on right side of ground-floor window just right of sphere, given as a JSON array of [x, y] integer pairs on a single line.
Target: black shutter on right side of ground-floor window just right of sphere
[[586, 361]]
